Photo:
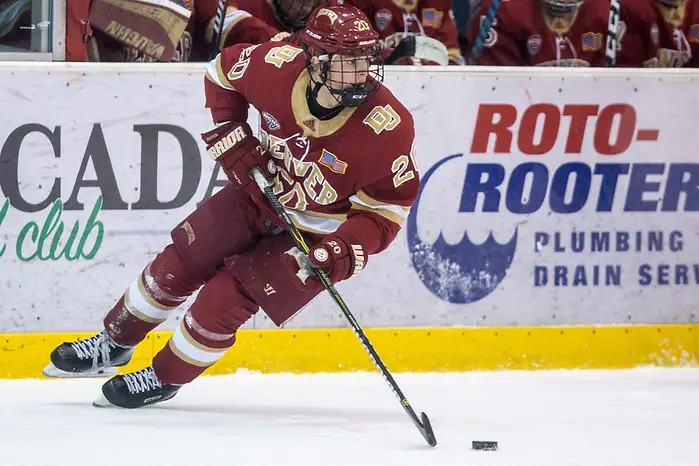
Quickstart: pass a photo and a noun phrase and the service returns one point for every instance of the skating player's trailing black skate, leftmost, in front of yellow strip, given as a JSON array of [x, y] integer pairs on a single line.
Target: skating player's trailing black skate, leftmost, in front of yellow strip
[[98, 356]]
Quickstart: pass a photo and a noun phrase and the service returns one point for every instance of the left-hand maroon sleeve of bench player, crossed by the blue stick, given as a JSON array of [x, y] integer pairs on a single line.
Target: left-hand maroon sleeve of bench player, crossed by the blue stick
[[501, 46]]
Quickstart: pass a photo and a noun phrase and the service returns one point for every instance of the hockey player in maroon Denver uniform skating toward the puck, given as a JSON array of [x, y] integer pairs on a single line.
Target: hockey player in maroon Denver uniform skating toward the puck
[[339, 149]]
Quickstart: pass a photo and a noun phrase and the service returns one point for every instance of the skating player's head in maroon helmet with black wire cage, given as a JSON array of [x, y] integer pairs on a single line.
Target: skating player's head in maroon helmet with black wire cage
[[343, 53]]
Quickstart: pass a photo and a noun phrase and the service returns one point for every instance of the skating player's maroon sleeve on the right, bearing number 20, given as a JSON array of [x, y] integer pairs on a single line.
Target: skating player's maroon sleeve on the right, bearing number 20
[[380, 205]]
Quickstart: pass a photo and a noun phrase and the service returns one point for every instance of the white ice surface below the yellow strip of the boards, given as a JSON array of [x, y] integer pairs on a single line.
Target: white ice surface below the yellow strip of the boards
[[593, 418]]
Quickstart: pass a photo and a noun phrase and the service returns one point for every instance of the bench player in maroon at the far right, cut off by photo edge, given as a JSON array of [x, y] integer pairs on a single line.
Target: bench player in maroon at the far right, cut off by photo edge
[[659, 34]]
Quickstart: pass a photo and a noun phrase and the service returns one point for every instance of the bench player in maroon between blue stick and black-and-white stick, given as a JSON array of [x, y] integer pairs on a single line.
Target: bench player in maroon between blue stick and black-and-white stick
[[544, 33]]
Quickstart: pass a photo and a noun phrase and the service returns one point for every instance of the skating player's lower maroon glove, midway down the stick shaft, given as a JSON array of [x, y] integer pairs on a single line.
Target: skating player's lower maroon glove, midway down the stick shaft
[[333, 254]]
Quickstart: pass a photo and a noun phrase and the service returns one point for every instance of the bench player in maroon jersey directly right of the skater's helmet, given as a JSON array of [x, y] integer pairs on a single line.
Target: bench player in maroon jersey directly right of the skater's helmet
[[396, 19]]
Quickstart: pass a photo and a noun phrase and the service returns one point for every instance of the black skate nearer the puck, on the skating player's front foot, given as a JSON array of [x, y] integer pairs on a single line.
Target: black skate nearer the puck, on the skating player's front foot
[[135, 390]]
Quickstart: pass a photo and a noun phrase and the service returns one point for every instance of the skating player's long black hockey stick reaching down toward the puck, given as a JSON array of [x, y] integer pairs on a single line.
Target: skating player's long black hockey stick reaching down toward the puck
[[424, 427]]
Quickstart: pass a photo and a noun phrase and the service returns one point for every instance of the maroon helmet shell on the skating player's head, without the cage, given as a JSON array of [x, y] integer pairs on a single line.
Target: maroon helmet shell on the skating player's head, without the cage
[[338, 29]]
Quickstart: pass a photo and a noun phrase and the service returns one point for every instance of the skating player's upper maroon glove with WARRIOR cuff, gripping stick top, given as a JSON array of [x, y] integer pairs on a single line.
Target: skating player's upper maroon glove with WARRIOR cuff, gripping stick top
[[233, 146]]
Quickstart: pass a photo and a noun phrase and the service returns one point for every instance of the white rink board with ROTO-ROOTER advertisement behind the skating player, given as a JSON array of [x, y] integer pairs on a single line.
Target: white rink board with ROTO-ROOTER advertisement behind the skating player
[[549, 197]]
